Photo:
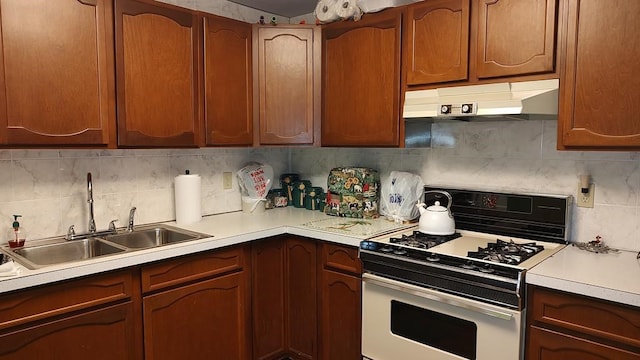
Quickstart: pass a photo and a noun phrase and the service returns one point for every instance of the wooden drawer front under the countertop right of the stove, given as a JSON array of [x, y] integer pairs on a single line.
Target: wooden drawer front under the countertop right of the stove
[[589, 316]]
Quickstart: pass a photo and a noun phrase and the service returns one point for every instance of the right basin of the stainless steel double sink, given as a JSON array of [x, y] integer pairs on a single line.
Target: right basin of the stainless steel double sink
[[147, 237]]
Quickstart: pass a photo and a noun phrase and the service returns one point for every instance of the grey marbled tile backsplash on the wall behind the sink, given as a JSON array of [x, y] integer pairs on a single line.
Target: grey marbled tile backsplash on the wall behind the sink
[[49, 188]]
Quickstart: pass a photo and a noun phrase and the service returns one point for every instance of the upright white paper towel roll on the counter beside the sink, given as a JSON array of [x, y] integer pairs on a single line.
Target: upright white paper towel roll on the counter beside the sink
[[187, 196]]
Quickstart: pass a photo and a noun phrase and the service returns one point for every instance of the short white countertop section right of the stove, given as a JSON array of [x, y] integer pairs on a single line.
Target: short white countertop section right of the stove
[[613, 276]]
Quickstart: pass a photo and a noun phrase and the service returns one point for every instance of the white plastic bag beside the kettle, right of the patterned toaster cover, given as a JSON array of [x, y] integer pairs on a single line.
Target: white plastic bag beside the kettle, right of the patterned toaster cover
[[399, 195]]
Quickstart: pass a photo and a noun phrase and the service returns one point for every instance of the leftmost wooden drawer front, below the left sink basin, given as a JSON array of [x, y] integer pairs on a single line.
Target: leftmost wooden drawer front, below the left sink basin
[[51, 300]]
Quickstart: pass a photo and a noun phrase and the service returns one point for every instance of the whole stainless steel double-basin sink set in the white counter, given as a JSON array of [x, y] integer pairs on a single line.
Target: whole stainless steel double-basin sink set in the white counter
[[60, 251]]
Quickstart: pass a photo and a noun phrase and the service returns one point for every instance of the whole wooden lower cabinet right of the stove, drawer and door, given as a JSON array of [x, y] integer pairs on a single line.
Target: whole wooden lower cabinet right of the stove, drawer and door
[[564, 326]]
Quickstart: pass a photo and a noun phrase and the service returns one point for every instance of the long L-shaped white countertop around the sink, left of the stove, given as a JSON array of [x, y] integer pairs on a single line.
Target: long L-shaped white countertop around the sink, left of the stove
[[227, 229]]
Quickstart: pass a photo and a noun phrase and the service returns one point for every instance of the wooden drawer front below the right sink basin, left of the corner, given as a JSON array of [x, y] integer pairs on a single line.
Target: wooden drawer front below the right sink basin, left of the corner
[[193, 267]]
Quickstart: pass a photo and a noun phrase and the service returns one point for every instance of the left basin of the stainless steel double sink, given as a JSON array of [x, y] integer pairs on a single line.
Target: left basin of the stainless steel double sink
[[38, 256]]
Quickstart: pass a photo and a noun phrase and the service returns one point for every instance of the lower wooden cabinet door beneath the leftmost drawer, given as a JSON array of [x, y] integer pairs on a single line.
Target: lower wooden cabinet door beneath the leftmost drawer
[[103, 334]]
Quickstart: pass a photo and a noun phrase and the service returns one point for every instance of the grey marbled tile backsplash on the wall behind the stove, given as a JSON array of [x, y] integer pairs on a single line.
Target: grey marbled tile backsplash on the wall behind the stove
[[518, 156]]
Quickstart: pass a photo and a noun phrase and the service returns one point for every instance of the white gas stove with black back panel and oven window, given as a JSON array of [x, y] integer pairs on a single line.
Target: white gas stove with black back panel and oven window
[[459, 296]]
